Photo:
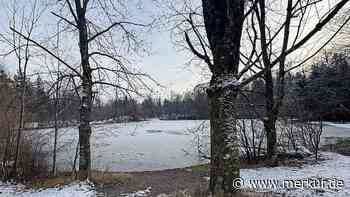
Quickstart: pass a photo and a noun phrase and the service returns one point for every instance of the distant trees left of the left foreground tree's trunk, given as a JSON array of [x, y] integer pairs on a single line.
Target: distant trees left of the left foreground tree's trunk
[[38, 100]]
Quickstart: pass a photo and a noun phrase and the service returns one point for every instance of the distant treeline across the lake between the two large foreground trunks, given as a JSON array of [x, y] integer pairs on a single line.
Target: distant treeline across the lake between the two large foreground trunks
[[191, 105]]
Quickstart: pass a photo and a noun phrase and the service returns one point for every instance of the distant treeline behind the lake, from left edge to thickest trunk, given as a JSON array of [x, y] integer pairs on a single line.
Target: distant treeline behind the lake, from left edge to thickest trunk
[[40, 104]]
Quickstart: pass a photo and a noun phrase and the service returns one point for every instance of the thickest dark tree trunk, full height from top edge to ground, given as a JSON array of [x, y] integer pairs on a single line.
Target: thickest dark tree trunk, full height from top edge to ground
[[223, 23]]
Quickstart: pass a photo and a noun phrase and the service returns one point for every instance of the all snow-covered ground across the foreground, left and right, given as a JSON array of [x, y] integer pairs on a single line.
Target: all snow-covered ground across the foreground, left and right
[[334, 166]]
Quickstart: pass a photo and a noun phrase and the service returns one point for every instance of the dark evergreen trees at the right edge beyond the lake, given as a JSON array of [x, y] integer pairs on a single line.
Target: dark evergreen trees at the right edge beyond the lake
[[324, 91]]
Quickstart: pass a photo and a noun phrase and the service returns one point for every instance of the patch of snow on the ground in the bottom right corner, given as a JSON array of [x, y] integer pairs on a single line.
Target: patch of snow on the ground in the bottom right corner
[[335, 166]]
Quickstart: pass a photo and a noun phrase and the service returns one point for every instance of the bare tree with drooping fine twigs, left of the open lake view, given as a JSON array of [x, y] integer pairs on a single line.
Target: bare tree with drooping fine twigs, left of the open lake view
[[99, 27]]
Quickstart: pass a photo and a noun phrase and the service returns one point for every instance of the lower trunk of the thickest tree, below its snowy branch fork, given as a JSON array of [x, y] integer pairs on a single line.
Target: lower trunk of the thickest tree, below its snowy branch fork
[[225, 164]]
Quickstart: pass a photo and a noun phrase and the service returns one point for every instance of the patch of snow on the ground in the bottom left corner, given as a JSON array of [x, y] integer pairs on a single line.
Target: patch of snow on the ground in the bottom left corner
[[82, 189]]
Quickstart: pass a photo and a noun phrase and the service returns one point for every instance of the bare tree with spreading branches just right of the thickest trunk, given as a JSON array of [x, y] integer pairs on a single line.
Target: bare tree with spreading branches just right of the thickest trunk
[[273, 42]]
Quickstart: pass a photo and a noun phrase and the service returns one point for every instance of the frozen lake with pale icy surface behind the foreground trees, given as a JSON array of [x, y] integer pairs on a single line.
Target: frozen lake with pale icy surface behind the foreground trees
[[145, 146]]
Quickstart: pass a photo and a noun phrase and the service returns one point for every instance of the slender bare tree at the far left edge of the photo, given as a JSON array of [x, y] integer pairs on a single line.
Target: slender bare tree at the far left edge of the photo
[[20, 49]]
